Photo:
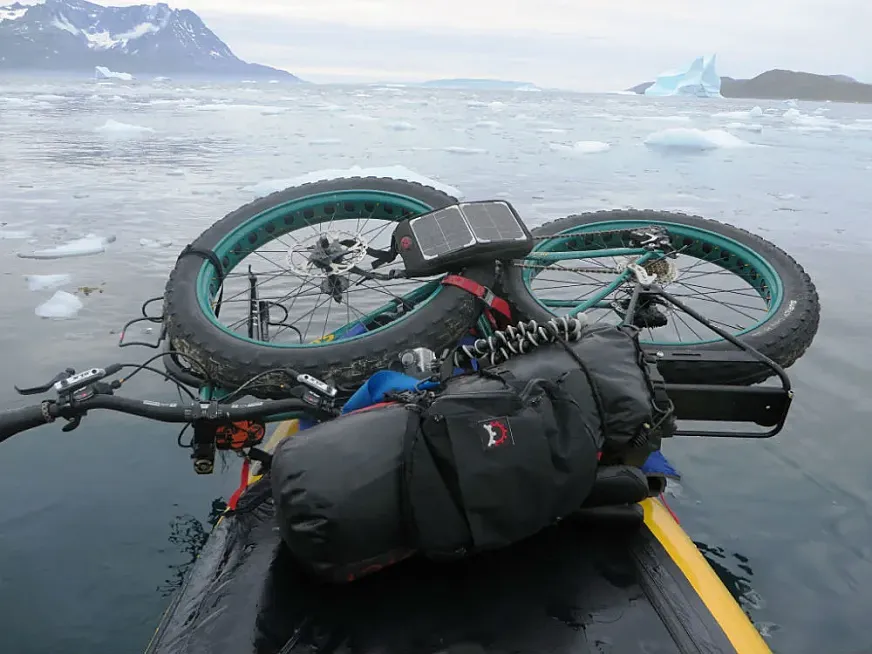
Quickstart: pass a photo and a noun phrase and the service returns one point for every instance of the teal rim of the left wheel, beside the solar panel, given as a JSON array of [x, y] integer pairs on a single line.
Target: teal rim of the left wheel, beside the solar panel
[[298, 214]]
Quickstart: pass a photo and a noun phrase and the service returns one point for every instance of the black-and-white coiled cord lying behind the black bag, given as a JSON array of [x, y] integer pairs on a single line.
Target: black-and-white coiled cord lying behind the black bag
[[520, 339]]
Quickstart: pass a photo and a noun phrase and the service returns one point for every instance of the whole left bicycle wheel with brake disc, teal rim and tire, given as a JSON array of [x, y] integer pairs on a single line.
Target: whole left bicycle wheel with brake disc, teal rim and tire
[[282, 239]]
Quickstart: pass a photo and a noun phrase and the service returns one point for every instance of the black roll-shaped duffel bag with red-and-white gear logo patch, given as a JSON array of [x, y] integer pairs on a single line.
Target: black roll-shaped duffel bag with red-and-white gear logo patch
[[487, 460]]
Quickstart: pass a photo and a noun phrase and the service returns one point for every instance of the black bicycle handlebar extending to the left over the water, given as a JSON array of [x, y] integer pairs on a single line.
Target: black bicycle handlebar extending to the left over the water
[[14, 421]]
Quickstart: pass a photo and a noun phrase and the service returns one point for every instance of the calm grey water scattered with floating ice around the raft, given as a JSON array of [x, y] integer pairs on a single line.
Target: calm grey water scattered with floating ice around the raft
[[95, 523]]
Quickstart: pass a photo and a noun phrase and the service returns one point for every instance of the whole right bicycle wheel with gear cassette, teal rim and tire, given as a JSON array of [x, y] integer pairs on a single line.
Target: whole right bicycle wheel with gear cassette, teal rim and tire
[[742, 283]]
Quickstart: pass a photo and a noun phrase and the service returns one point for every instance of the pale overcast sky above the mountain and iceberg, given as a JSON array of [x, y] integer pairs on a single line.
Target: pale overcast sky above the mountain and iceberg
[[578, 44]]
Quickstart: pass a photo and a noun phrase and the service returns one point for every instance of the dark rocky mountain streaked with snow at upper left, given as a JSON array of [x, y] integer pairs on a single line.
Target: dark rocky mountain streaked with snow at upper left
[[74, 35]]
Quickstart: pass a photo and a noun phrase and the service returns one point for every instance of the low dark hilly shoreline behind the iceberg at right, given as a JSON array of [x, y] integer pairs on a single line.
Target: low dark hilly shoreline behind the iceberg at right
[[780, 84]]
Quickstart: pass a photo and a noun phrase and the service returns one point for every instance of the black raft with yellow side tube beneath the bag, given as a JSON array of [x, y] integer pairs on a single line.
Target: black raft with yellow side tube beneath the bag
[[633, 583]]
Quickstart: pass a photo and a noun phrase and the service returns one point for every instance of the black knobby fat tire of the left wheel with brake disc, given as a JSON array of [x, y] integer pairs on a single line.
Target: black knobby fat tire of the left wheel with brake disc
[[231, 361]]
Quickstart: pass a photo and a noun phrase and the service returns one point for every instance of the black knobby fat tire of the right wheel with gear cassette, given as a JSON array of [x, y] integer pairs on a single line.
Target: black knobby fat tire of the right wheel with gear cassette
[[784, 338]]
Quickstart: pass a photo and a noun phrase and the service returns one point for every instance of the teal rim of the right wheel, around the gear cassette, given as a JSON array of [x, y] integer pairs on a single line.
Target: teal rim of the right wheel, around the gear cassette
[[731, 255]]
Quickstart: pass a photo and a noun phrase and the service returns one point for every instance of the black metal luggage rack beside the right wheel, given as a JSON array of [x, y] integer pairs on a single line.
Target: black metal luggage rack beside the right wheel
[[766, 406]]
